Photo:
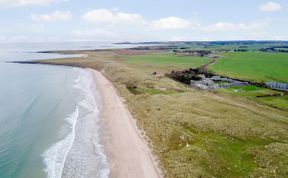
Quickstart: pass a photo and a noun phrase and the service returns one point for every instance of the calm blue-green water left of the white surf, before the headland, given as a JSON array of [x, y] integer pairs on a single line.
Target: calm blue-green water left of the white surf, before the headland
[[35, 100]]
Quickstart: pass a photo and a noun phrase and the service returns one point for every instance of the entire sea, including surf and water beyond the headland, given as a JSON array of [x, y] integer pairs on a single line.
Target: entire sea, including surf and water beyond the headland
[[49, 123]]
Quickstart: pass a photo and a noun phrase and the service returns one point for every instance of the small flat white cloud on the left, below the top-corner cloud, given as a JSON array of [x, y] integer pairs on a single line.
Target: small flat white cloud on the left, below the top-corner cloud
[[54, 16]]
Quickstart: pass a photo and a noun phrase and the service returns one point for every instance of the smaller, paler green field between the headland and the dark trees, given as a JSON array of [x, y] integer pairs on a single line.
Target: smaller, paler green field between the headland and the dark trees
[[166, 61]]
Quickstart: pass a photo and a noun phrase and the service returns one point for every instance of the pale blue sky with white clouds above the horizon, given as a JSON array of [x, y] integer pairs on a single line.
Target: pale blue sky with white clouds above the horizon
[[142, 20]]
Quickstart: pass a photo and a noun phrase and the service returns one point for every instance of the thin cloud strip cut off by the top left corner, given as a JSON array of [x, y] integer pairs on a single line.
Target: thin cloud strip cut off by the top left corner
[[18, 3]]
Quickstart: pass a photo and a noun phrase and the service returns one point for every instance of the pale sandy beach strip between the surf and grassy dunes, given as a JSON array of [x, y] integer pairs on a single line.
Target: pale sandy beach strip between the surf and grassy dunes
[[128, 153]]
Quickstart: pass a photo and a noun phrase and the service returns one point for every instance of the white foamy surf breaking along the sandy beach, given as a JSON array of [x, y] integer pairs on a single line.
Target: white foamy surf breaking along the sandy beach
[[82, 145]]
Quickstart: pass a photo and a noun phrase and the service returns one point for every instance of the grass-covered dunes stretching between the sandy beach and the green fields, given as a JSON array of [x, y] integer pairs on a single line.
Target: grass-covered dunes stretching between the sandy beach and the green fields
[[196, 133]]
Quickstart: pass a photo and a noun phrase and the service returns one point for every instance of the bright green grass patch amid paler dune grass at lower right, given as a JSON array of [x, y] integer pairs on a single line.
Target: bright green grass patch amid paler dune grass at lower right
[[231, 152]]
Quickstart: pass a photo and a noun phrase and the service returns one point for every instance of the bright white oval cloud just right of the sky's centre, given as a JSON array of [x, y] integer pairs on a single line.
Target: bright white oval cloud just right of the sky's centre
[[170, 23]]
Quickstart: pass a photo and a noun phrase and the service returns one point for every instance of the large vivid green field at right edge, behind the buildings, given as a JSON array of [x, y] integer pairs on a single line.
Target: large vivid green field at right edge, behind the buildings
[[253, 66]]
